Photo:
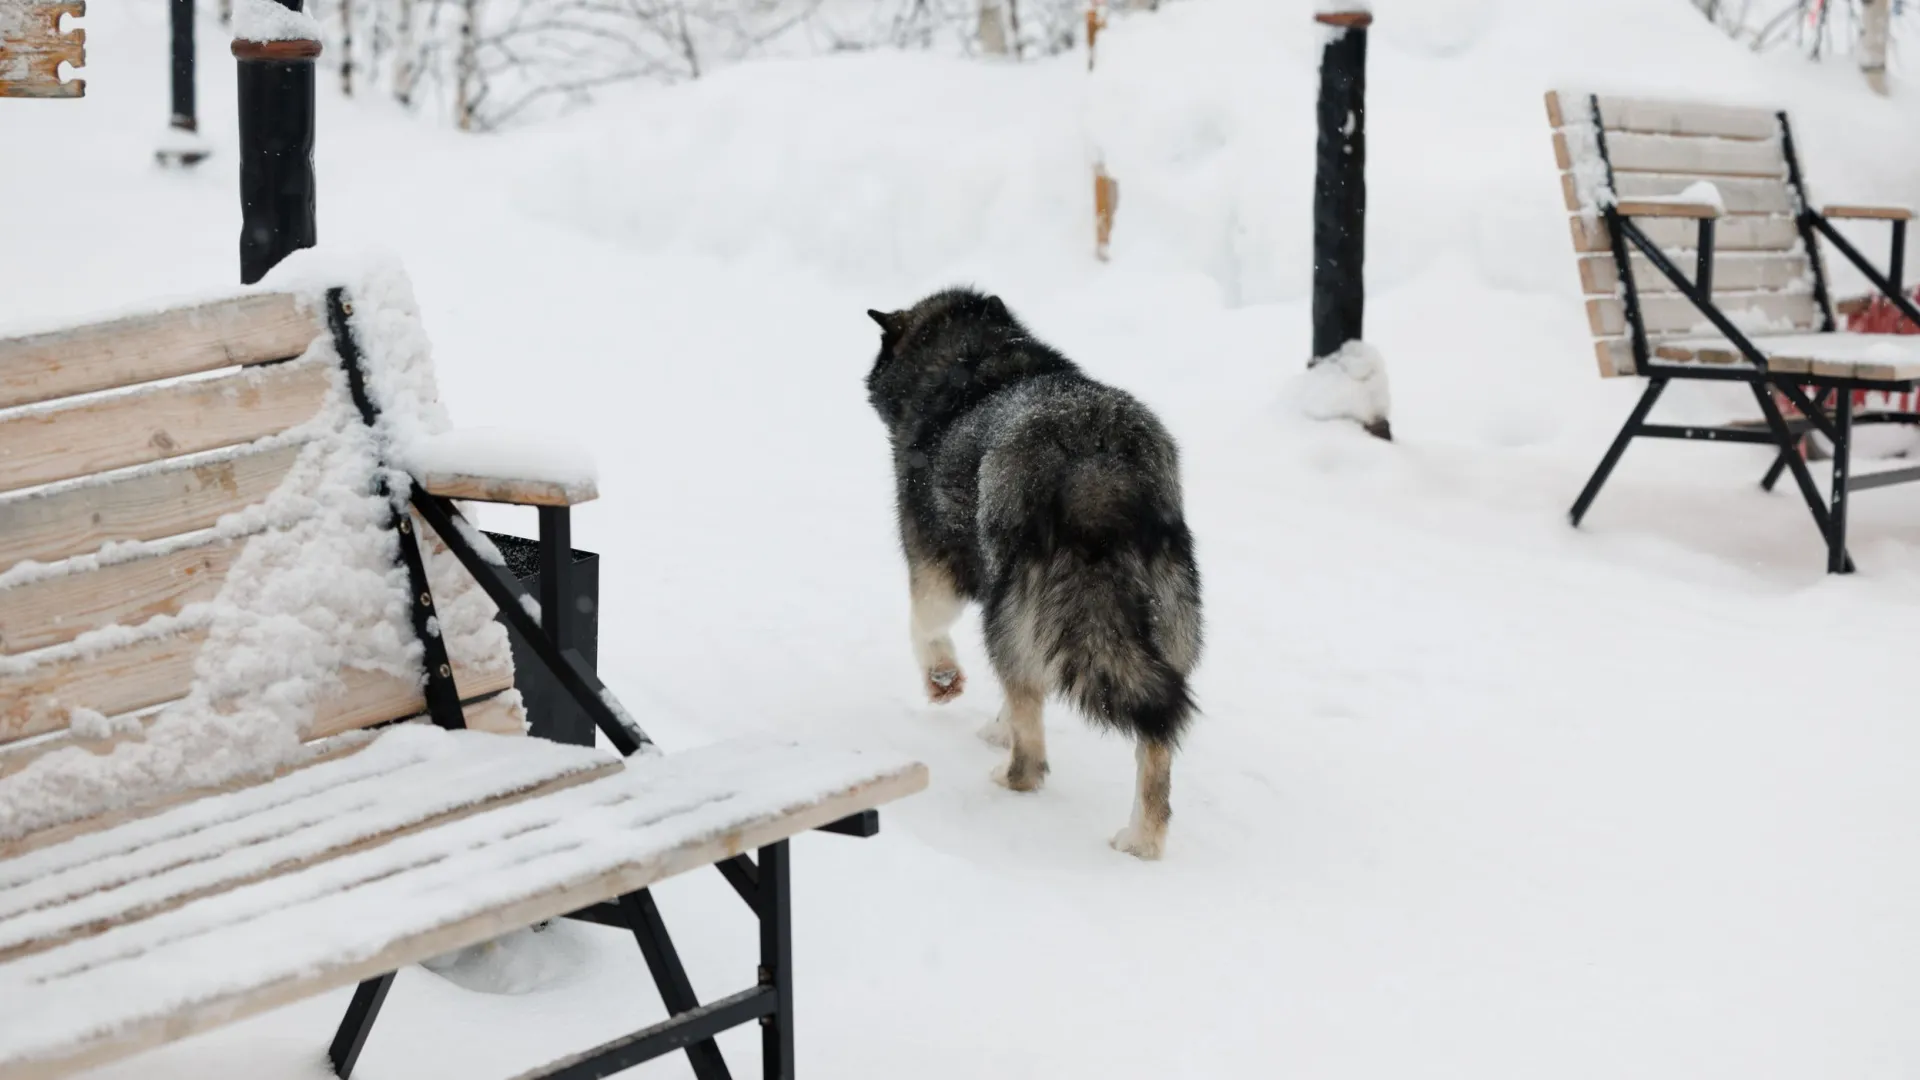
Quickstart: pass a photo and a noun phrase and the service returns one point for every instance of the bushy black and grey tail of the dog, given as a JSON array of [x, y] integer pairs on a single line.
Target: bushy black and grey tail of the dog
[[1115, 597]]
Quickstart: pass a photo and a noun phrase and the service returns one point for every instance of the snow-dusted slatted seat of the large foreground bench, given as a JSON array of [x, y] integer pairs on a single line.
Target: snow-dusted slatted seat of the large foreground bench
[[231, 906]]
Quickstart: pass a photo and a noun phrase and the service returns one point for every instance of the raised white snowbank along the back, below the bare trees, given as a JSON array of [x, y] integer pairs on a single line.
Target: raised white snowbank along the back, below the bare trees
[[913, 170]]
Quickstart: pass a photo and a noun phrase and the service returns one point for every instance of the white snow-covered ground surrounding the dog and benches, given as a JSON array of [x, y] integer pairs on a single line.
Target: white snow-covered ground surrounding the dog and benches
[[1476, 795]]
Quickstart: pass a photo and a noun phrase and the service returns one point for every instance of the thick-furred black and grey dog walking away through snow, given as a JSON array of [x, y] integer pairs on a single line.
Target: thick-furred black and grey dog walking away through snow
[[1055, 503]]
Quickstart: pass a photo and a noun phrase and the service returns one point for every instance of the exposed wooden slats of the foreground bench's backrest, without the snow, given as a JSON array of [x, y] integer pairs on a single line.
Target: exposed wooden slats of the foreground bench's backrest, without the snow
[[130, 456]]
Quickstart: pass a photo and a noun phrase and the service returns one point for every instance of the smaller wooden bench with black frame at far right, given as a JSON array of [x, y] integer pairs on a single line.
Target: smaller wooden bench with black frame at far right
[[1698, 249]]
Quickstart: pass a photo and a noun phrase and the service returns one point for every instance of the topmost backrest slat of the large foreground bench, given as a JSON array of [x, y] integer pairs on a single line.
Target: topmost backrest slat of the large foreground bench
[[160, 345]]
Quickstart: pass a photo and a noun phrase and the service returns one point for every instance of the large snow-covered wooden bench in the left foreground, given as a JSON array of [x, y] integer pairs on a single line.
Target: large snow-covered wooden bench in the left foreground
[[214, 608]]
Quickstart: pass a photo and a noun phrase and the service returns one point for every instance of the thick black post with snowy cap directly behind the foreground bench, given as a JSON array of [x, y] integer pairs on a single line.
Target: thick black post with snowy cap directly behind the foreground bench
[[276, 151]]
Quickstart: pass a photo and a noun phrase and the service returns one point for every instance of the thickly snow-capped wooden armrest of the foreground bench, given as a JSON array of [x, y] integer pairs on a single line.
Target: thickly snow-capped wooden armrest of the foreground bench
[[504, 466]]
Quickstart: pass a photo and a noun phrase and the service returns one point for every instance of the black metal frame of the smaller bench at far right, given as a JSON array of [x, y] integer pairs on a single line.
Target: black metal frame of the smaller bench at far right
[[1825, 403]]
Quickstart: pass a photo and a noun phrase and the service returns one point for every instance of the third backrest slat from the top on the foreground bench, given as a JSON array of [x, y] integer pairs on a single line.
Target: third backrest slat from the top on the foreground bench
[[147, 506]]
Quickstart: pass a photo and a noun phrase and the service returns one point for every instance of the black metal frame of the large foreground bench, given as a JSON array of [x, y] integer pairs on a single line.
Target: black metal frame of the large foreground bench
[[763, 885]]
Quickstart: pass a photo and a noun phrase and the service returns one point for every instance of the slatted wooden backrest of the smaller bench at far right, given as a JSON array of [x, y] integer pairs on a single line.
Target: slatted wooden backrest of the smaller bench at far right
[[1764, 278]]
